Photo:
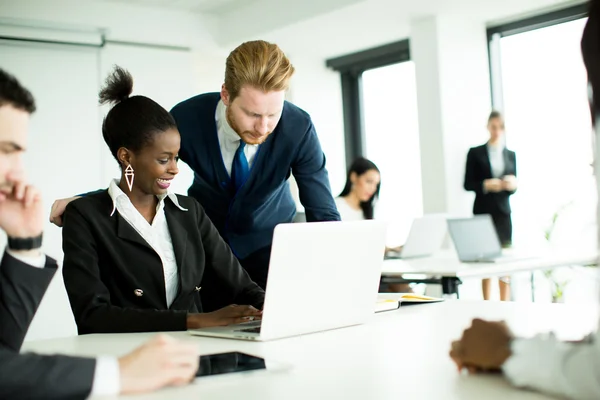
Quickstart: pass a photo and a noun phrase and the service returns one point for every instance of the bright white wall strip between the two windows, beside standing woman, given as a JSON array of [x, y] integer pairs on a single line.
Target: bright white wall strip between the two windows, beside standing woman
[[465, 97]]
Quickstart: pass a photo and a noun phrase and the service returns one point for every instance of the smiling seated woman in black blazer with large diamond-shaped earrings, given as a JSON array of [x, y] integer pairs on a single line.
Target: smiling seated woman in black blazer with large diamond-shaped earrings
[[137, 257]]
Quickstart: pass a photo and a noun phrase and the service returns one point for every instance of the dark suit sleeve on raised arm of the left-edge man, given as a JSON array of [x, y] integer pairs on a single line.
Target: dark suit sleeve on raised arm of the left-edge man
[[21, 290]]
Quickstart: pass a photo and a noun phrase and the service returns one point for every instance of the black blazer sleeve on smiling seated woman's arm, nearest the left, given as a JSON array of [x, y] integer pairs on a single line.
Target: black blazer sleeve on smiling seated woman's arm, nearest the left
[[90, 298]]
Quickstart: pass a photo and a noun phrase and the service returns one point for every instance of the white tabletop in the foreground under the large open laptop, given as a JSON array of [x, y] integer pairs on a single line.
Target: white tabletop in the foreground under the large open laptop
[[401, 354]]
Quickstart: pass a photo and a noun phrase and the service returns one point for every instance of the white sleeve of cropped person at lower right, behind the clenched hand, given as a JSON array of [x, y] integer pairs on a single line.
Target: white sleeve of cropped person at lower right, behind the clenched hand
[[549, 365]]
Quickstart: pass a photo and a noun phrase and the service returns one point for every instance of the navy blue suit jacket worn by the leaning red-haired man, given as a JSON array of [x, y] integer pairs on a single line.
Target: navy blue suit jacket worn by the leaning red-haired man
[[246, 219]]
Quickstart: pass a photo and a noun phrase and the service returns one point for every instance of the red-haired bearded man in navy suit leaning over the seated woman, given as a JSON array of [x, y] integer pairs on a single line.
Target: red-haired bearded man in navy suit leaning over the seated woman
[[242, 144]]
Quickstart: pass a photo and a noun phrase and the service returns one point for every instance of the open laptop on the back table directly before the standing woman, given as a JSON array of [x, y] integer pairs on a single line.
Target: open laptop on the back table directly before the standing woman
[[476, 240]]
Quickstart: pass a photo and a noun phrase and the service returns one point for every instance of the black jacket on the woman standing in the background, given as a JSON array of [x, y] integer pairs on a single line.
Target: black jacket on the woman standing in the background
[[479, 169]]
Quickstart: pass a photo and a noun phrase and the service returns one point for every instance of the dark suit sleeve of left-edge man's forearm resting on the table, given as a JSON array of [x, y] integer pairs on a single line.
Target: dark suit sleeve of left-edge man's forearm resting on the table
[[32, 376]]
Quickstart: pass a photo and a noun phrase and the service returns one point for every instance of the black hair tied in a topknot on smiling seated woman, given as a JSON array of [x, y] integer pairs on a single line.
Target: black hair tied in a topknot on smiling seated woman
[[133, 121]]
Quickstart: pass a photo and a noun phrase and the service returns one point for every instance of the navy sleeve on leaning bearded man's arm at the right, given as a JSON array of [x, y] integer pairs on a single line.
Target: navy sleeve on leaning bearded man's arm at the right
[[313, 181]]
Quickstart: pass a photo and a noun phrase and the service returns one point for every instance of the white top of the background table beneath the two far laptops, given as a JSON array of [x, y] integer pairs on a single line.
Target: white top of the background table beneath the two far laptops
[[447, 264]]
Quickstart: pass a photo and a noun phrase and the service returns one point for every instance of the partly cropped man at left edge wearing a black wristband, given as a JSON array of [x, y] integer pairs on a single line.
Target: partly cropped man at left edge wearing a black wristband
[[25, 274]]
